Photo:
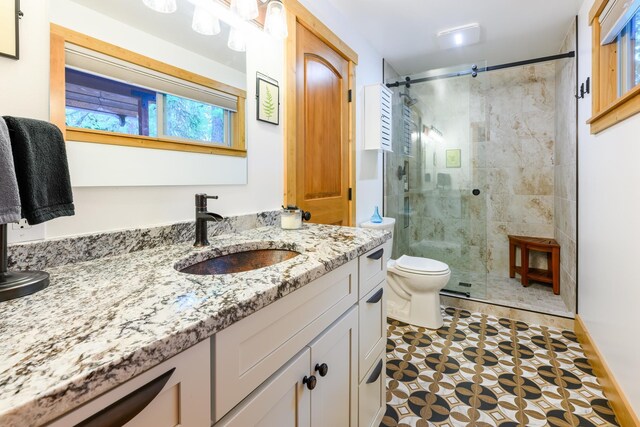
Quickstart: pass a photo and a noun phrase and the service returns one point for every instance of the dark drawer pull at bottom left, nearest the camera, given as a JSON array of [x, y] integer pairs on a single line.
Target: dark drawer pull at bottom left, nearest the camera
[[124, 410]]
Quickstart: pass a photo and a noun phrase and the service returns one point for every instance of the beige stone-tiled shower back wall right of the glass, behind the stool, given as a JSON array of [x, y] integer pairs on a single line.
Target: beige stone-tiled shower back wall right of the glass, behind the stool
[[516, 162]]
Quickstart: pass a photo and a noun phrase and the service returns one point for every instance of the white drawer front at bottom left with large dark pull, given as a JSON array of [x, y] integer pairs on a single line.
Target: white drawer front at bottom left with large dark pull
[[174, 393]]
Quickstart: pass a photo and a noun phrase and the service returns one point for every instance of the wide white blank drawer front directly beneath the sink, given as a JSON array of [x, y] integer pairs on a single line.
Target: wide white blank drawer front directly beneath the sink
[[248, 352]]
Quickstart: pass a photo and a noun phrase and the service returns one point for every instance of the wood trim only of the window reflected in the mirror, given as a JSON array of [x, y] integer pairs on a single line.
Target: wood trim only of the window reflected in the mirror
[[60, 35]]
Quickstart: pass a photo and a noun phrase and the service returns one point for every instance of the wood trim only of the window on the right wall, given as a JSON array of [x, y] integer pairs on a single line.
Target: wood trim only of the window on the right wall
[[608, 108]]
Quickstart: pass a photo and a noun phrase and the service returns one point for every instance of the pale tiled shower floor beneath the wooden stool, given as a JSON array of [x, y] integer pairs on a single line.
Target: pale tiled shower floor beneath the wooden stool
[[509, 292]]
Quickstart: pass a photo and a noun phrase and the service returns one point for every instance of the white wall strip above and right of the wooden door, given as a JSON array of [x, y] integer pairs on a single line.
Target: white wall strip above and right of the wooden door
[[368, 71]]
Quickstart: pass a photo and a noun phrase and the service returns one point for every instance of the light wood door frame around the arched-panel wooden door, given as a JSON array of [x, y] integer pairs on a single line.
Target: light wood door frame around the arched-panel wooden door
[[297, 13]]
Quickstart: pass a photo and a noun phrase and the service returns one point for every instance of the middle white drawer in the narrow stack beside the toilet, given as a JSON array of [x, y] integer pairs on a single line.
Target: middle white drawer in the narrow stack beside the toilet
[[373, 331]]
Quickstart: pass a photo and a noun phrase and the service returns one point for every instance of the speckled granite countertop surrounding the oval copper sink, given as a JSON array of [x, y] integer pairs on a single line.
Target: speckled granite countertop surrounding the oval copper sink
[[102, 322]]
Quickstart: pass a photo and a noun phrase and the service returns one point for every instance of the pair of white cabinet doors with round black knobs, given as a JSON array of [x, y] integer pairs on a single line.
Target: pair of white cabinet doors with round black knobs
[[302, 393]]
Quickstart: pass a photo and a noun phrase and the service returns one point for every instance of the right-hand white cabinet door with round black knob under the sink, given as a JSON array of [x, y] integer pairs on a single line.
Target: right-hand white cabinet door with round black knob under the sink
[[334, 400]]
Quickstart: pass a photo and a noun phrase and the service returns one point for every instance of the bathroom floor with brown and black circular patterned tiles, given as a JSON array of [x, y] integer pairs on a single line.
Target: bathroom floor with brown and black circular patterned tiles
[[478, 370]]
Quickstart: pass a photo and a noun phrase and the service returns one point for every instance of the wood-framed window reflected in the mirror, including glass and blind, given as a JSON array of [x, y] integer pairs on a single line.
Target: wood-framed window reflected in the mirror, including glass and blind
[[102, 93]]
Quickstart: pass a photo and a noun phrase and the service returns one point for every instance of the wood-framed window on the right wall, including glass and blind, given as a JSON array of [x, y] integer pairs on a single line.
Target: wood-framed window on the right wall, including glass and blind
[[616, 62]]
